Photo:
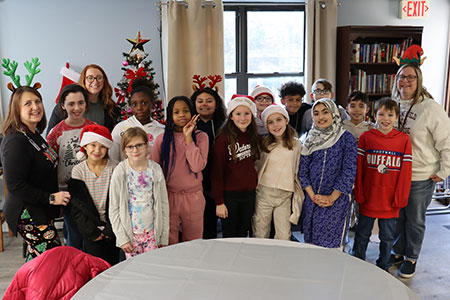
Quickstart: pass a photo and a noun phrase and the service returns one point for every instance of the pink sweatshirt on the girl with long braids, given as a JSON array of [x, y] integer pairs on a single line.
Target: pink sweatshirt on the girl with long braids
[[190, 160]]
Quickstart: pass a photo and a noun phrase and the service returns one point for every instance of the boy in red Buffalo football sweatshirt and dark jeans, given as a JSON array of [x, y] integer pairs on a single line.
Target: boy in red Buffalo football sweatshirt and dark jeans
[[383, 180]]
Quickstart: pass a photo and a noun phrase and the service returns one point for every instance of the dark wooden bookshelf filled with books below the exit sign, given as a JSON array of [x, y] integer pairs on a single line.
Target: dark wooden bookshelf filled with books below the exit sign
[[363, 52]]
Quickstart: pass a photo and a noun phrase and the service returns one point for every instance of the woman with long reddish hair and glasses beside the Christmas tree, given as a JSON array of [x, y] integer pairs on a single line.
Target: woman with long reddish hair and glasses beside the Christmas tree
[[102, 109]]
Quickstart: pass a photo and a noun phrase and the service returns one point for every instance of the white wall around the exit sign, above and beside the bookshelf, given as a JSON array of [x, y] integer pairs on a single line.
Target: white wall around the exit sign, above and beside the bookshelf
[[434, 38]]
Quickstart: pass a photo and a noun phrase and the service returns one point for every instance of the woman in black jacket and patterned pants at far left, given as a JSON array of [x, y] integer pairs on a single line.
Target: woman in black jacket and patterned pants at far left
[[30, 172]]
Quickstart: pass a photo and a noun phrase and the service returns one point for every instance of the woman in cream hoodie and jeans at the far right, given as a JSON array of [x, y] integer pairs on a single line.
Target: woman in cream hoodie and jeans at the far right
[[428, 127]]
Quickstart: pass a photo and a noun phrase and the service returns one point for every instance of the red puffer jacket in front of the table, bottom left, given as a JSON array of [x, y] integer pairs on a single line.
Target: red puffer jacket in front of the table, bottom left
[[58, 273]]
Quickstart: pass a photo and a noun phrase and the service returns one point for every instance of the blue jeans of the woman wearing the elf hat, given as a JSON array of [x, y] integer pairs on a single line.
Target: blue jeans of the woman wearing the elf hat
[[410, 229]]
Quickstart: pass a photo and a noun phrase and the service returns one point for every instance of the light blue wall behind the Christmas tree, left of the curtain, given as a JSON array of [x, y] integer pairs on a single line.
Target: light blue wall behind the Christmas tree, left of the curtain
[[80, 32]]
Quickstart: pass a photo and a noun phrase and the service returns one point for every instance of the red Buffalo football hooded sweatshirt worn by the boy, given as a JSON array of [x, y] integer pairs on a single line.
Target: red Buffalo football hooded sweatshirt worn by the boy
[[383, 176]]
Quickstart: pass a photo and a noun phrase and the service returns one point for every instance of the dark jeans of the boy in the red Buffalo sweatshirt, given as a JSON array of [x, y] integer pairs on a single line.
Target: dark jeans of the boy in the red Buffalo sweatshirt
[[386, 235]]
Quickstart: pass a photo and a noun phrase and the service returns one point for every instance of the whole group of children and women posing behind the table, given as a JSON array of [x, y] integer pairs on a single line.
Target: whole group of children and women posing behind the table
[[139, 185]]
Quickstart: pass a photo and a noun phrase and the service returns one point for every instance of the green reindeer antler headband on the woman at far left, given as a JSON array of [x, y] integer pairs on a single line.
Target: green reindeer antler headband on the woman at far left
[[10, 71]]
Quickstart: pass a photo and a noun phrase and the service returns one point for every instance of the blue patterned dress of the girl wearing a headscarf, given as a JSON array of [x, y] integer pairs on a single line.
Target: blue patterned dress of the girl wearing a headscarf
[[327, 170]]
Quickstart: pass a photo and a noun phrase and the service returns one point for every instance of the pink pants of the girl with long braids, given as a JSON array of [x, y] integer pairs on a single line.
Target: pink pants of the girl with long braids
[[186, 209]]
